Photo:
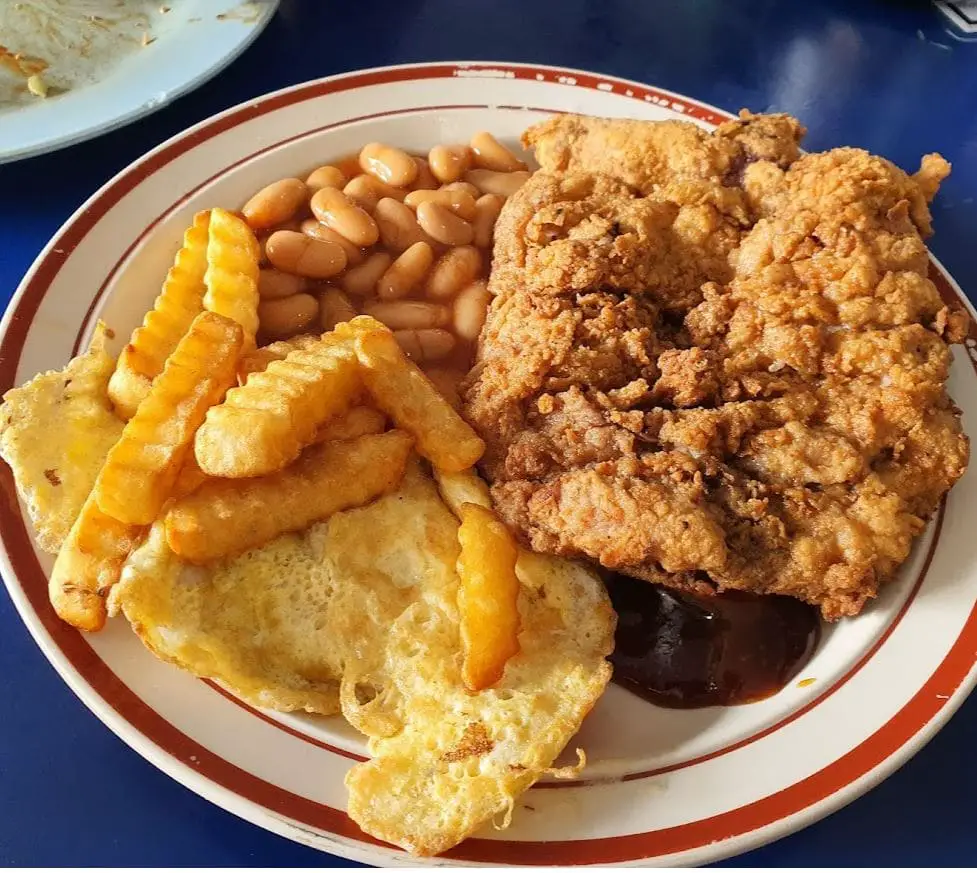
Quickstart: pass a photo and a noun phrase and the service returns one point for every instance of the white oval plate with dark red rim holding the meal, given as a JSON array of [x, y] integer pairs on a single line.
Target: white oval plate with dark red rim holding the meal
[[664, 786]]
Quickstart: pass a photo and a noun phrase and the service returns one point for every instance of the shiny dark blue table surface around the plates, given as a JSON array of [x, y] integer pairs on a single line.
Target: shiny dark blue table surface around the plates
[[887, 76]]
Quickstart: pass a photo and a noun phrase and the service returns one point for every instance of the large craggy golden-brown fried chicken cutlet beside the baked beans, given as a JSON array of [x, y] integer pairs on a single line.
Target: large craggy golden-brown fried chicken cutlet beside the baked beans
[[715, 364]]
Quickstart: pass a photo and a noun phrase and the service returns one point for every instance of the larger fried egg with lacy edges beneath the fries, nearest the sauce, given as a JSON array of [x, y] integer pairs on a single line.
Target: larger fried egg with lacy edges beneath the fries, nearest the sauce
[[360, 613]]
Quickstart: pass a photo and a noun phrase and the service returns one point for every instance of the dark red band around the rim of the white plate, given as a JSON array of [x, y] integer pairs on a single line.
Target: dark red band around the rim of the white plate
[[755, 822]]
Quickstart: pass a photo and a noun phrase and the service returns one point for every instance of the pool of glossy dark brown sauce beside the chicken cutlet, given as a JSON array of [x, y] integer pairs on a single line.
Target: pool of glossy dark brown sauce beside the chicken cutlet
[[683, 651]]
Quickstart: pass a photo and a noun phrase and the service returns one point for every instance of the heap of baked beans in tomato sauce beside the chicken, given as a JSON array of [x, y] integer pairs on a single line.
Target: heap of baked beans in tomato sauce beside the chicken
[[403, 237]]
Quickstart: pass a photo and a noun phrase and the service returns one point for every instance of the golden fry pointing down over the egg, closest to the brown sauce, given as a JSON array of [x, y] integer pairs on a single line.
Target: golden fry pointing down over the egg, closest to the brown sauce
[[488, 598]]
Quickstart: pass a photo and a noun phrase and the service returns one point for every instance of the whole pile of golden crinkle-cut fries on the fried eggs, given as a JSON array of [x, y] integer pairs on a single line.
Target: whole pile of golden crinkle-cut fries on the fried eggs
[[230, 445]]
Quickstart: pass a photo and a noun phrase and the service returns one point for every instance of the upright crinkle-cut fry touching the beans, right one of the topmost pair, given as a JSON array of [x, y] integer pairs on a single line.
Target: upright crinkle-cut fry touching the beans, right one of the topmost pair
[[231, 279]]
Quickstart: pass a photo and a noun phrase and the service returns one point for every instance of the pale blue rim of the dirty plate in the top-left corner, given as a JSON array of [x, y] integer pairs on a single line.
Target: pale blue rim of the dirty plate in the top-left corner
[[191, 43]]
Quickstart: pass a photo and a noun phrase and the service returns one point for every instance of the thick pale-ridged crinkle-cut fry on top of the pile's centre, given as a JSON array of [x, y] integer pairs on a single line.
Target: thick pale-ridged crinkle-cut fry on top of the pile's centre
[[263, 425]]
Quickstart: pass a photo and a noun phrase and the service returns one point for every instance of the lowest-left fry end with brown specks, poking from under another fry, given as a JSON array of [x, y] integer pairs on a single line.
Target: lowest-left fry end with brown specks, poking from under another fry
[[89, 564]]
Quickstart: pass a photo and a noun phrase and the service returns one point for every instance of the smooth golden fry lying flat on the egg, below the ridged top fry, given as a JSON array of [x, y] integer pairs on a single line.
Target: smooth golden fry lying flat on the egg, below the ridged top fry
[[227, 516]]
